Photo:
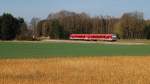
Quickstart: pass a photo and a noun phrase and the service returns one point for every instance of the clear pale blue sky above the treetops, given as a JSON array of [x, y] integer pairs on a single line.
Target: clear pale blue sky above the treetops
[[42, 8]]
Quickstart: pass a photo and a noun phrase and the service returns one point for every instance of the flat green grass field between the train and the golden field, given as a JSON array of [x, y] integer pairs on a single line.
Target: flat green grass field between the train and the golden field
[[44, 50]]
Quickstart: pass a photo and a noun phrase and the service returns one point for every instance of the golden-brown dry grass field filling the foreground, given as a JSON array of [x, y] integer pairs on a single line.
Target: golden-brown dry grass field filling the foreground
[[88, 70]]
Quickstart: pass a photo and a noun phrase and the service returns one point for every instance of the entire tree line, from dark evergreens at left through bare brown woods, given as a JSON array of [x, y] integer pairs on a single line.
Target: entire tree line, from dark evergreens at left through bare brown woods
[[60, 25]]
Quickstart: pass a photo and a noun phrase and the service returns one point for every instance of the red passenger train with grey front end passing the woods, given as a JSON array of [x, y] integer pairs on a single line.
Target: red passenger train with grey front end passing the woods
[[104, 37]]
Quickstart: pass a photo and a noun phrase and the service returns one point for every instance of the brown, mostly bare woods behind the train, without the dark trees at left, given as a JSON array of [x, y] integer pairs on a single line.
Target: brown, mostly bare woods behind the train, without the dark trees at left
[[59, 25]]
